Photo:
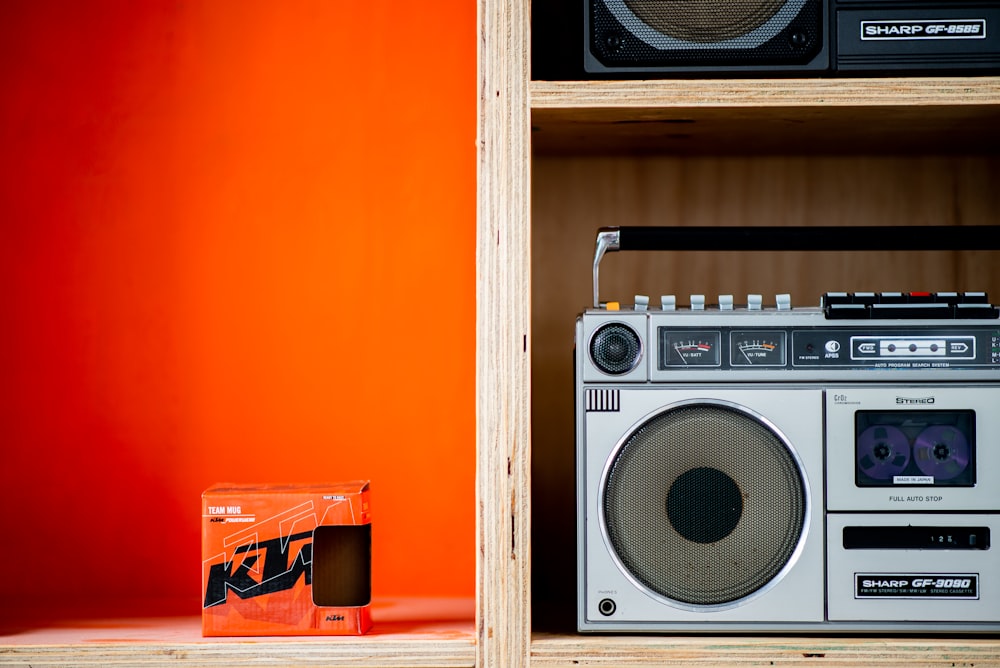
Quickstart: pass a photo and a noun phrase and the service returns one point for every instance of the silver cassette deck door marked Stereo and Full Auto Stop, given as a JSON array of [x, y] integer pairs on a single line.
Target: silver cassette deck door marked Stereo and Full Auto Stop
[[913, 448]]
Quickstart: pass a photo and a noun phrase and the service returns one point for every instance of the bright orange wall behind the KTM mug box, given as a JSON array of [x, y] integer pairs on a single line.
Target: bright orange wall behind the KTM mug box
[[238, 244]]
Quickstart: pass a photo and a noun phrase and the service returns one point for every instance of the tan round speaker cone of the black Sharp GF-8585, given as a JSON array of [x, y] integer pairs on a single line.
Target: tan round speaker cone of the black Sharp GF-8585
[[705, 21]]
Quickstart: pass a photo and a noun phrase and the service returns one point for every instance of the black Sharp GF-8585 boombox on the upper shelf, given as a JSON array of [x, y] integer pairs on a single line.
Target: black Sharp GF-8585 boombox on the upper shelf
[[854, 37]]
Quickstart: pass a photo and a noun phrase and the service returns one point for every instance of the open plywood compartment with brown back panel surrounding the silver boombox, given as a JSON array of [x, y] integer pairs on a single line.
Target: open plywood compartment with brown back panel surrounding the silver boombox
[[802, 152]]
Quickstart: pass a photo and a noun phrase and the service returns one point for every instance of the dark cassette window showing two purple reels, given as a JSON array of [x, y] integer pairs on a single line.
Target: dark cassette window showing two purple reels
[[915, 448]]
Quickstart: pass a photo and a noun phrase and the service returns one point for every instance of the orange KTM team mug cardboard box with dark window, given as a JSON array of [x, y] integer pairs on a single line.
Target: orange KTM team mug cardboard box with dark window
[[286, 559]]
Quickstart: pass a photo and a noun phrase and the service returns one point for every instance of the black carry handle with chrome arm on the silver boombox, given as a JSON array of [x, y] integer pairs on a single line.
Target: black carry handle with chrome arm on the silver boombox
[[824, 238]]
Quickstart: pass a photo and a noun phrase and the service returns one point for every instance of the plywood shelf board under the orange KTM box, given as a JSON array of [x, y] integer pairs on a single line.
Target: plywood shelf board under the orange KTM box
[[434, 633]]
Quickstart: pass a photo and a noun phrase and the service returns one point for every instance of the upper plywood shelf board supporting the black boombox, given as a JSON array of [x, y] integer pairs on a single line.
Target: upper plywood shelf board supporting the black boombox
[[799, 116]]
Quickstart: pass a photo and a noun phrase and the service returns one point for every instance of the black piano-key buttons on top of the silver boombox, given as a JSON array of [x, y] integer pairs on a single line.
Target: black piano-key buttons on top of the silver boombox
[[908, 305]]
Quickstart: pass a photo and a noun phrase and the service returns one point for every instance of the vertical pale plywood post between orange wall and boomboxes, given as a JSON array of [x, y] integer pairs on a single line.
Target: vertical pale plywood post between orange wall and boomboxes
[[503, 348]]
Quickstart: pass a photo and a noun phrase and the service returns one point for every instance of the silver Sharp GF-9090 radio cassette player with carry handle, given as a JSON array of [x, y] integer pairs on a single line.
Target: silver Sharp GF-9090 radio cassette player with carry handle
[[744, 464]]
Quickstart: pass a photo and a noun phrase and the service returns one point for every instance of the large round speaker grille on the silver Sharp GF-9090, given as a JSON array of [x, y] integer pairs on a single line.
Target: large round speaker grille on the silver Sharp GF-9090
[[704, 504]]
